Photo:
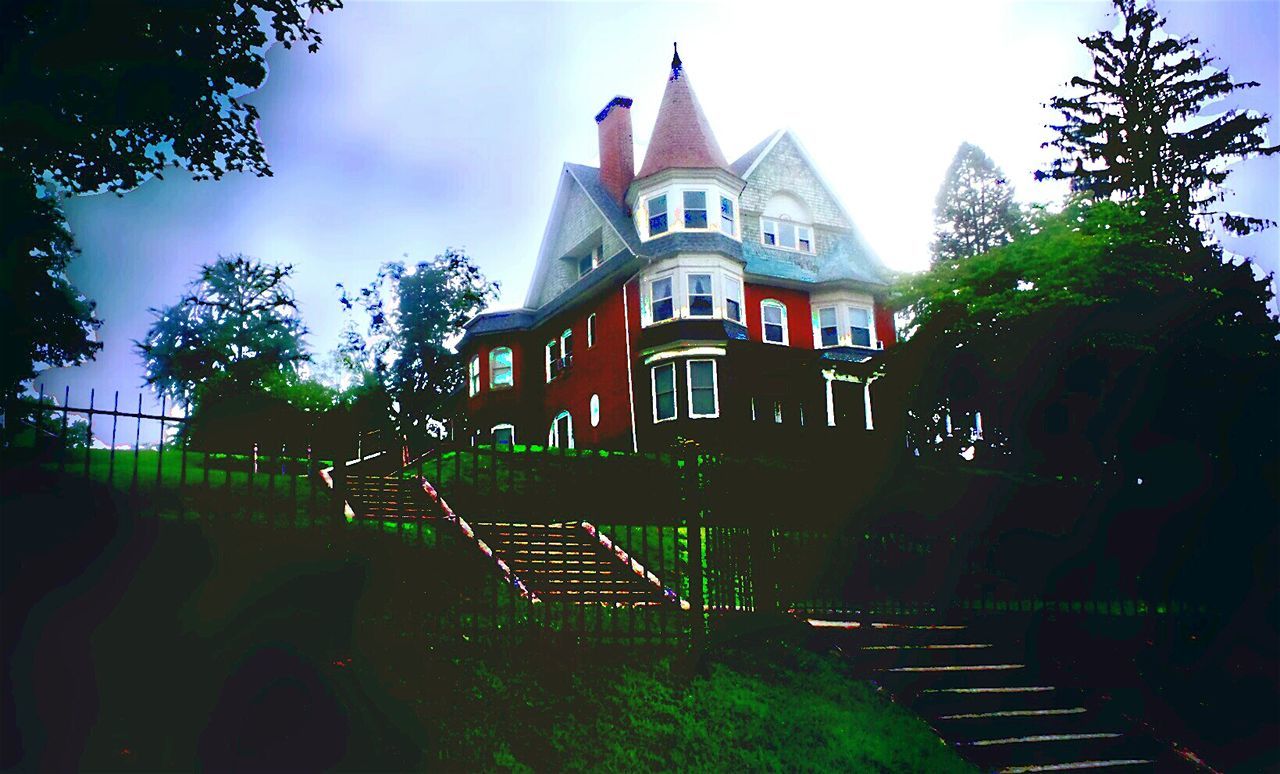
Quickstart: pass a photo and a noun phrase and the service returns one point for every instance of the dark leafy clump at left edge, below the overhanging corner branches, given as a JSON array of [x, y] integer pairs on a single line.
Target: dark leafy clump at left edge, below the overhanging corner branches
[[44, 318]]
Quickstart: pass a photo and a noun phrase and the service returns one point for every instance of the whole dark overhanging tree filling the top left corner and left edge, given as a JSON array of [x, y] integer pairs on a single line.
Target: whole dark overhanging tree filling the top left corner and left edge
[[100, 97]]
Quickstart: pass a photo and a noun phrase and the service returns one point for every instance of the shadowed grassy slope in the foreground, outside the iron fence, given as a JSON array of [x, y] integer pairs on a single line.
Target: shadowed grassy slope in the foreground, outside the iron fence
[[141, 644]]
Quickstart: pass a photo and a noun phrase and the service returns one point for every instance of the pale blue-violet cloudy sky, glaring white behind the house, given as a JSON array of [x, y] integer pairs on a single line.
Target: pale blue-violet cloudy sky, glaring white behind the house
[[422, 126]]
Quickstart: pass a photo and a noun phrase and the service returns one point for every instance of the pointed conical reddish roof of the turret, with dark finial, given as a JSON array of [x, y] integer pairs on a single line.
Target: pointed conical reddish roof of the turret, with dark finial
[[682, 136]]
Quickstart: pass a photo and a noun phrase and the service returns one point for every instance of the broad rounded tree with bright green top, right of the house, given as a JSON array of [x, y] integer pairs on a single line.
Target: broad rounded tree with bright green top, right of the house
[[1094, 342]]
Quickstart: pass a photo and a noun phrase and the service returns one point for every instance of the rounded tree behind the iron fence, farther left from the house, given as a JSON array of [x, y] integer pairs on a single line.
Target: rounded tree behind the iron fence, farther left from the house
[[237, 327]]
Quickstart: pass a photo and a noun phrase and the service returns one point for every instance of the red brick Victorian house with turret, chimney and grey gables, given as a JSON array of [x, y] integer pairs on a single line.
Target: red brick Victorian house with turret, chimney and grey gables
[[726, 303]]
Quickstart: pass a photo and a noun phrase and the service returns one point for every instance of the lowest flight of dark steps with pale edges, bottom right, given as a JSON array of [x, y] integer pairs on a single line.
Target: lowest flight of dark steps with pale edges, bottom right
[[977, 688]]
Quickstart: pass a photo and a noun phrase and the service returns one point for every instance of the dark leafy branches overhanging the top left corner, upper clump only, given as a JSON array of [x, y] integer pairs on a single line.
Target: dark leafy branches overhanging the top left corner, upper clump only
[[103, 95]]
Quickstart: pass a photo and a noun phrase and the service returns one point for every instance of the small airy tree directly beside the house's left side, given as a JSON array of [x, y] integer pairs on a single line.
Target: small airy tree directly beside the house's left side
[[412, 323]]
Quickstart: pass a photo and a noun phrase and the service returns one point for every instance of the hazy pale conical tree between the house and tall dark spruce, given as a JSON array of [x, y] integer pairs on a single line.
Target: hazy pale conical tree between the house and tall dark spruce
[[975, 210]]
